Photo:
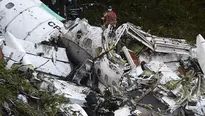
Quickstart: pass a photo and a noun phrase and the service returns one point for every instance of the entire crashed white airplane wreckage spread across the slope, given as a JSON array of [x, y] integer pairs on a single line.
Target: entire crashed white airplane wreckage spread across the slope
[[131, 71]]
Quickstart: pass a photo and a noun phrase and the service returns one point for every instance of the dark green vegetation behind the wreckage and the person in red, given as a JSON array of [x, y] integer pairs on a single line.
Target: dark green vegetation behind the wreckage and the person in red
[[168, 18]]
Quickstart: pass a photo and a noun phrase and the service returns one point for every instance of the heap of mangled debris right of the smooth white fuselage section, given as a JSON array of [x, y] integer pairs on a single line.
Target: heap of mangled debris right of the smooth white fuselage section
[[161, 74]]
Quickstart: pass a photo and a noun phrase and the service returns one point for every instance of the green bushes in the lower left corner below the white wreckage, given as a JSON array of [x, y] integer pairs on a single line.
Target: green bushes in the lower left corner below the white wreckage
[[11, 81]]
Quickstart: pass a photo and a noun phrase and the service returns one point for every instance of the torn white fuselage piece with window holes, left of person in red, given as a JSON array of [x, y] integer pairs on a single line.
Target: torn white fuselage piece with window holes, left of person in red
[[87, 37]]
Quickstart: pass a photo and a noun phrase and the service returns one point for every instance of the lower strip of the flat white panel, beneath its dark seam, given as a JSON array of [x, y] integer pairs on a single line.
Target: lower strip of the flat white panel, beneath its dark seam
[[41, 64]]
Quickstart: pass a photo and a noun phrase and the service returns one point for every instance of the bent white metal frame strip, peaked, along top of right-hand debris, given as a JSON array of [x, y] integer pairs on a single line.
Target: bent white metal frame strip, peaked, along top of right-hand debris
[[157, 44]]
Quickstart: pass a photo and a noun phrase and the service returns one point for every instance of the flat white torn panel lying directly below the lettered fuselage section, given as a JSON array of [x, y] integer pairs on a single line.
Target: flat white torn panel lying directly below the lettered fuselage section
[[27, 53]]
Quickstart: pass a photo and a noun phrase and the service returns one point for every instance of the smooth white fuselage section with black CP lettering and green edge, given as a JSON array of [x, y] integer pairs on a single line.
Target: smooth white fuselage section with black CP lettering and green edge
[[28, 20]]
